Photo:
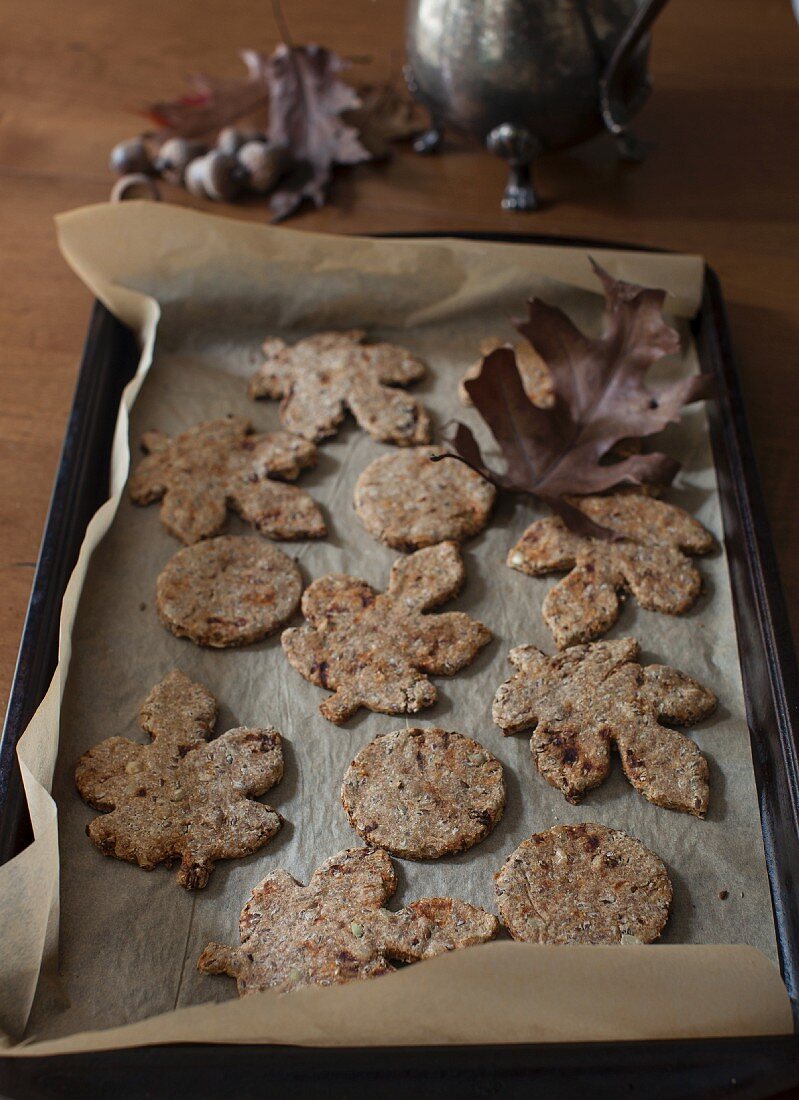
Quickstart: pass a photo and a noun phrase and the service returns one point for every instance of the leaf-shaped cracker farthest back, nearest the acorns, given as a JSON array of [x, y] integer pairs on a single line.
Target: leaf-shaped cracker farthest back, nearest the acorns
[[323, 376]]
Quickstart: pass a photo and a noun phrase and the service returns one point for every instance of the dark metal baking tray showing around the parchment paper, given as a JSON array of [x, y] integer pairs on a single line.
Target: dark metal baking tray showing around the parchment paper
[[743, 1068]]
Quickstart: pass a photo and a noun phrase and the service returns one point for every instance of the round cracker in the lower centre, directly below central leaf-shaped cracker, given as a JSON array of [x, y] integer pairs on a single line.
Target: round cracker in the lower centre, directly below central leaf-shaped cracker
[[424, 794]]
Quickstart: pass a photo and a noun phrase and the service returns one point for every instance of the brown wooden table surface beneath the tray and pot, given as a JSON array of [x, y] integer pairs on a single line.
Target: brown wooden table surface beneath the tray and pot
[[723, 180]]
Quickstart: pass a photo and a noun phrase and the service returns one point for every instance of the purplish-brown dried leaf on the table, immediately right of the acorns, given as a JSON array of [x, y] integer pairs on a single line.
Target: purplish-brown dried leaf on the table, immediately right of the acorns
[[308, 102]]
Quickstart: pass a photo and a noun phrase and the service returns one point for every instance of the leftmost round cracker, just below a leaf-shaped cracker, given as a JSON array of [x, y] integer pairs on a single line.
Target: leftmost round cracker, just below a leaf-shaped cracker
[[229, 591]]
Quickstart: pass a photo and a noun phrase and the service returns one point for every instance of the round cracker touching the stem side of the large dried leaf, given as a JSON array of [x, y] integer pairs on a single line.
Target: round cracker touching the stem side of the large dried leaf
[[409, 502]]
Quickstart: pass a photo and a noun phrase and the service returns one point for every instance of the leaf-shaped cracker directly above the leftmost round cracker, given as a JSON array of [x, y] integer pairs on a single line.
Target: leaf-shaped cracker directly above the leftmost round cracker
[[223, 465]]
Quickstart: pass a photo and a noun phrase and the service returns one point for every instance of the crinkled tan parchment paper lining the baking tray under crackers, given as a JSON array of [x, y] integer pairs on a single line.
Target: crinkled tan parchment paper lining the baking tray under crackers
[[129, 941]]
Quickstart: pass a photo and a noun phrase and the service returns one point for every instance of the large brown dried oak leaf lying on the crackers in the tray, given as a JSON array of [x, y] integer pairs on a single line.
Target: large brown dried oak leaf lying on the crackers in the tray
[[600, 400]]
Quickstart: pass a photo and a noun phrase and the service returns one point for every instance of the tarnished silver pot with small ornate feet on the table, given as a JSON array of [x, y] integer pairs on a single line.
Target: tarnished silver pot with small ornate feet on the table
[[524, 76]]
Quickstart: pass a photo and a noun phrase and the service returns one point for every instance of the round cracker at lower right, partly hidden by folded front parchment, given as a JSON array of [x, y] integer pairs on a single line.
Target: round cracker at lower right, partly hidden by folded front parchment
[[584, 885]]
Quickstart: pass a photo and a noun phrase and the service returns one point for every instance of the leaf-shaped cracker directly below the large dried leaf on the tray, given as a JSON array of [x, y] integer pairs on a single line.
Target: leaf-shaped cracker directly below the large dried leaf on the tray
[[647, 559]]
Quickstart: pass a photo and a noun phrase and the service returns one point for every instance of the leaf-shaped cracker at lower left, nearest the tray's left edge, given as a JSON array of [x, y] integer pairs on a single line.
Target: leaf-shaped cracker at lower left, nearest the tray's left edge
[[182, 797]]
